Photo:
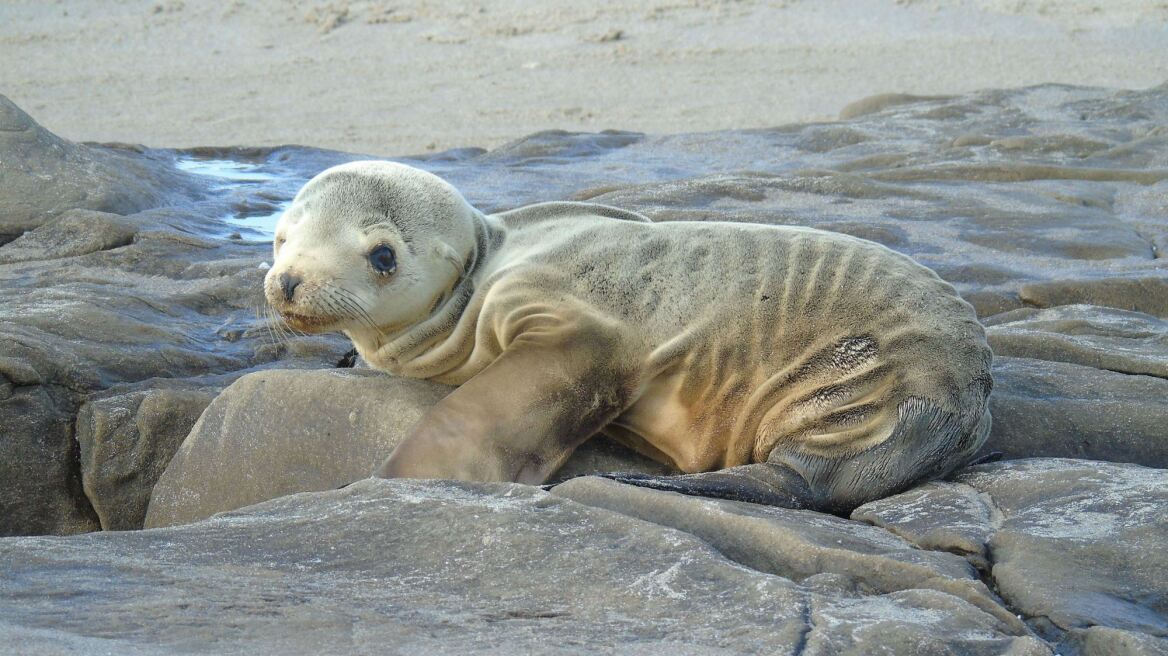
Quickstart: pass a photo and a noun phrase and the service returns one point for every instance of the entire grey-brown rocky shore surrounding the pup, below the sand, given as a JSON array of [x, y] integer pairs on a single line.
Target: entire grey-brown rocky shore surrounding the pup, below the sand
[[130, 299]]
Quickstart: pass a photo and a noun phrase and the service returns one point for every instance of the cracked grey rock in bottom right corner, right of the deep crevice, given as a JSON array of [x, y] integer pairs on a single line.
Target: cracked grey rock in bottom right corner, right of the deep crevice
[[1082, 543]]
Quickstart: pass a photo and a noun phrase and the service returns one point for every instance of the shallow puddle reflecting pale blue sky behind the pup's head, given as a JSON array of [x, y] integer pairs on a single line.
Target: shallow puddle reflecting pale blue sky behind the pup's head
[[259, 198]]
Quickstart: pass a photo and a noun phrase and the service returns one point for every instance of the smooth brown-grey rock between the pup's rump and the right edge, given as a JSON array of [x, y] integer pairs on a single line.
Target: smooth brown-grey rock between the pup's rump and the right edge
[[1060, 410]]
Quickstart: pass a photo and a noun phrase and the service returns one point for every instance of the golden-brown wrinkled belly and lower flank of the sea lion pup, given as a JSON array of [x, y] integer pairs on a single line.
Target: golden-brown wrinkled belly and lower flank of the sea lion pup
[[835, 396]]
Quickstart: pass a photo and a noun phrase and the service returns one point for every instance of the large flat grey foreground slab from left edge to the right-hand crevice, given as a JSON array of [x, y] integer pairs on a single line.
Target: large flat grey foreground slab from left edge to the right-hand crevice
[[430, 567]]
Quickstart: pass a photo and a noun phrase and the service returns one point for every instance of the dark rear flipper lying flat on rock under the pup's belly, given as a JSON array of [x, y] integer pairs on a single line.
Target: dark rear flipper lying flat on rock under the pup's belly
[[766, 483]]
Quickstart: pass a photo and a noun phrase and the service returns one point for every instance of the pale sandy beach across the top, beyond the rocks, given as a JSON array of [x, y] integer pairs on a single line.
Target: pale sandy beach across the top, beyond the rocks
[[413, 76]]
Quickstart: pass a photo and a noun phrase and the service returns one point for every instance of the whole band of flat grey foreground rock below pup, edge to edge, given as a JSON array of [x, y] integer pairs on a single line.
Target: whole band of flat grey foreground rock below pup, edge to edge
[[1027, 557]]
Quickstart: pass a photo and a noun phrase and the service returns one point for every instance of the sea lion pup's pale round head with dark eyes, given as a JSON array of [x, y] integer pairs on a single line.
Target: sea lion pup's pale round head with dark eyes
[[369, 247]]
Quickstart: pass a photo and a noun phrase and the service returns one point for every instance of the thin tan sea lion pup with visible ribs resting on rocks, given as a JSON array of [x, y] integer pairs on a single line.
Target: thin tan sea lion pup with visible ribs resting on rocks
[[774, 365]]
